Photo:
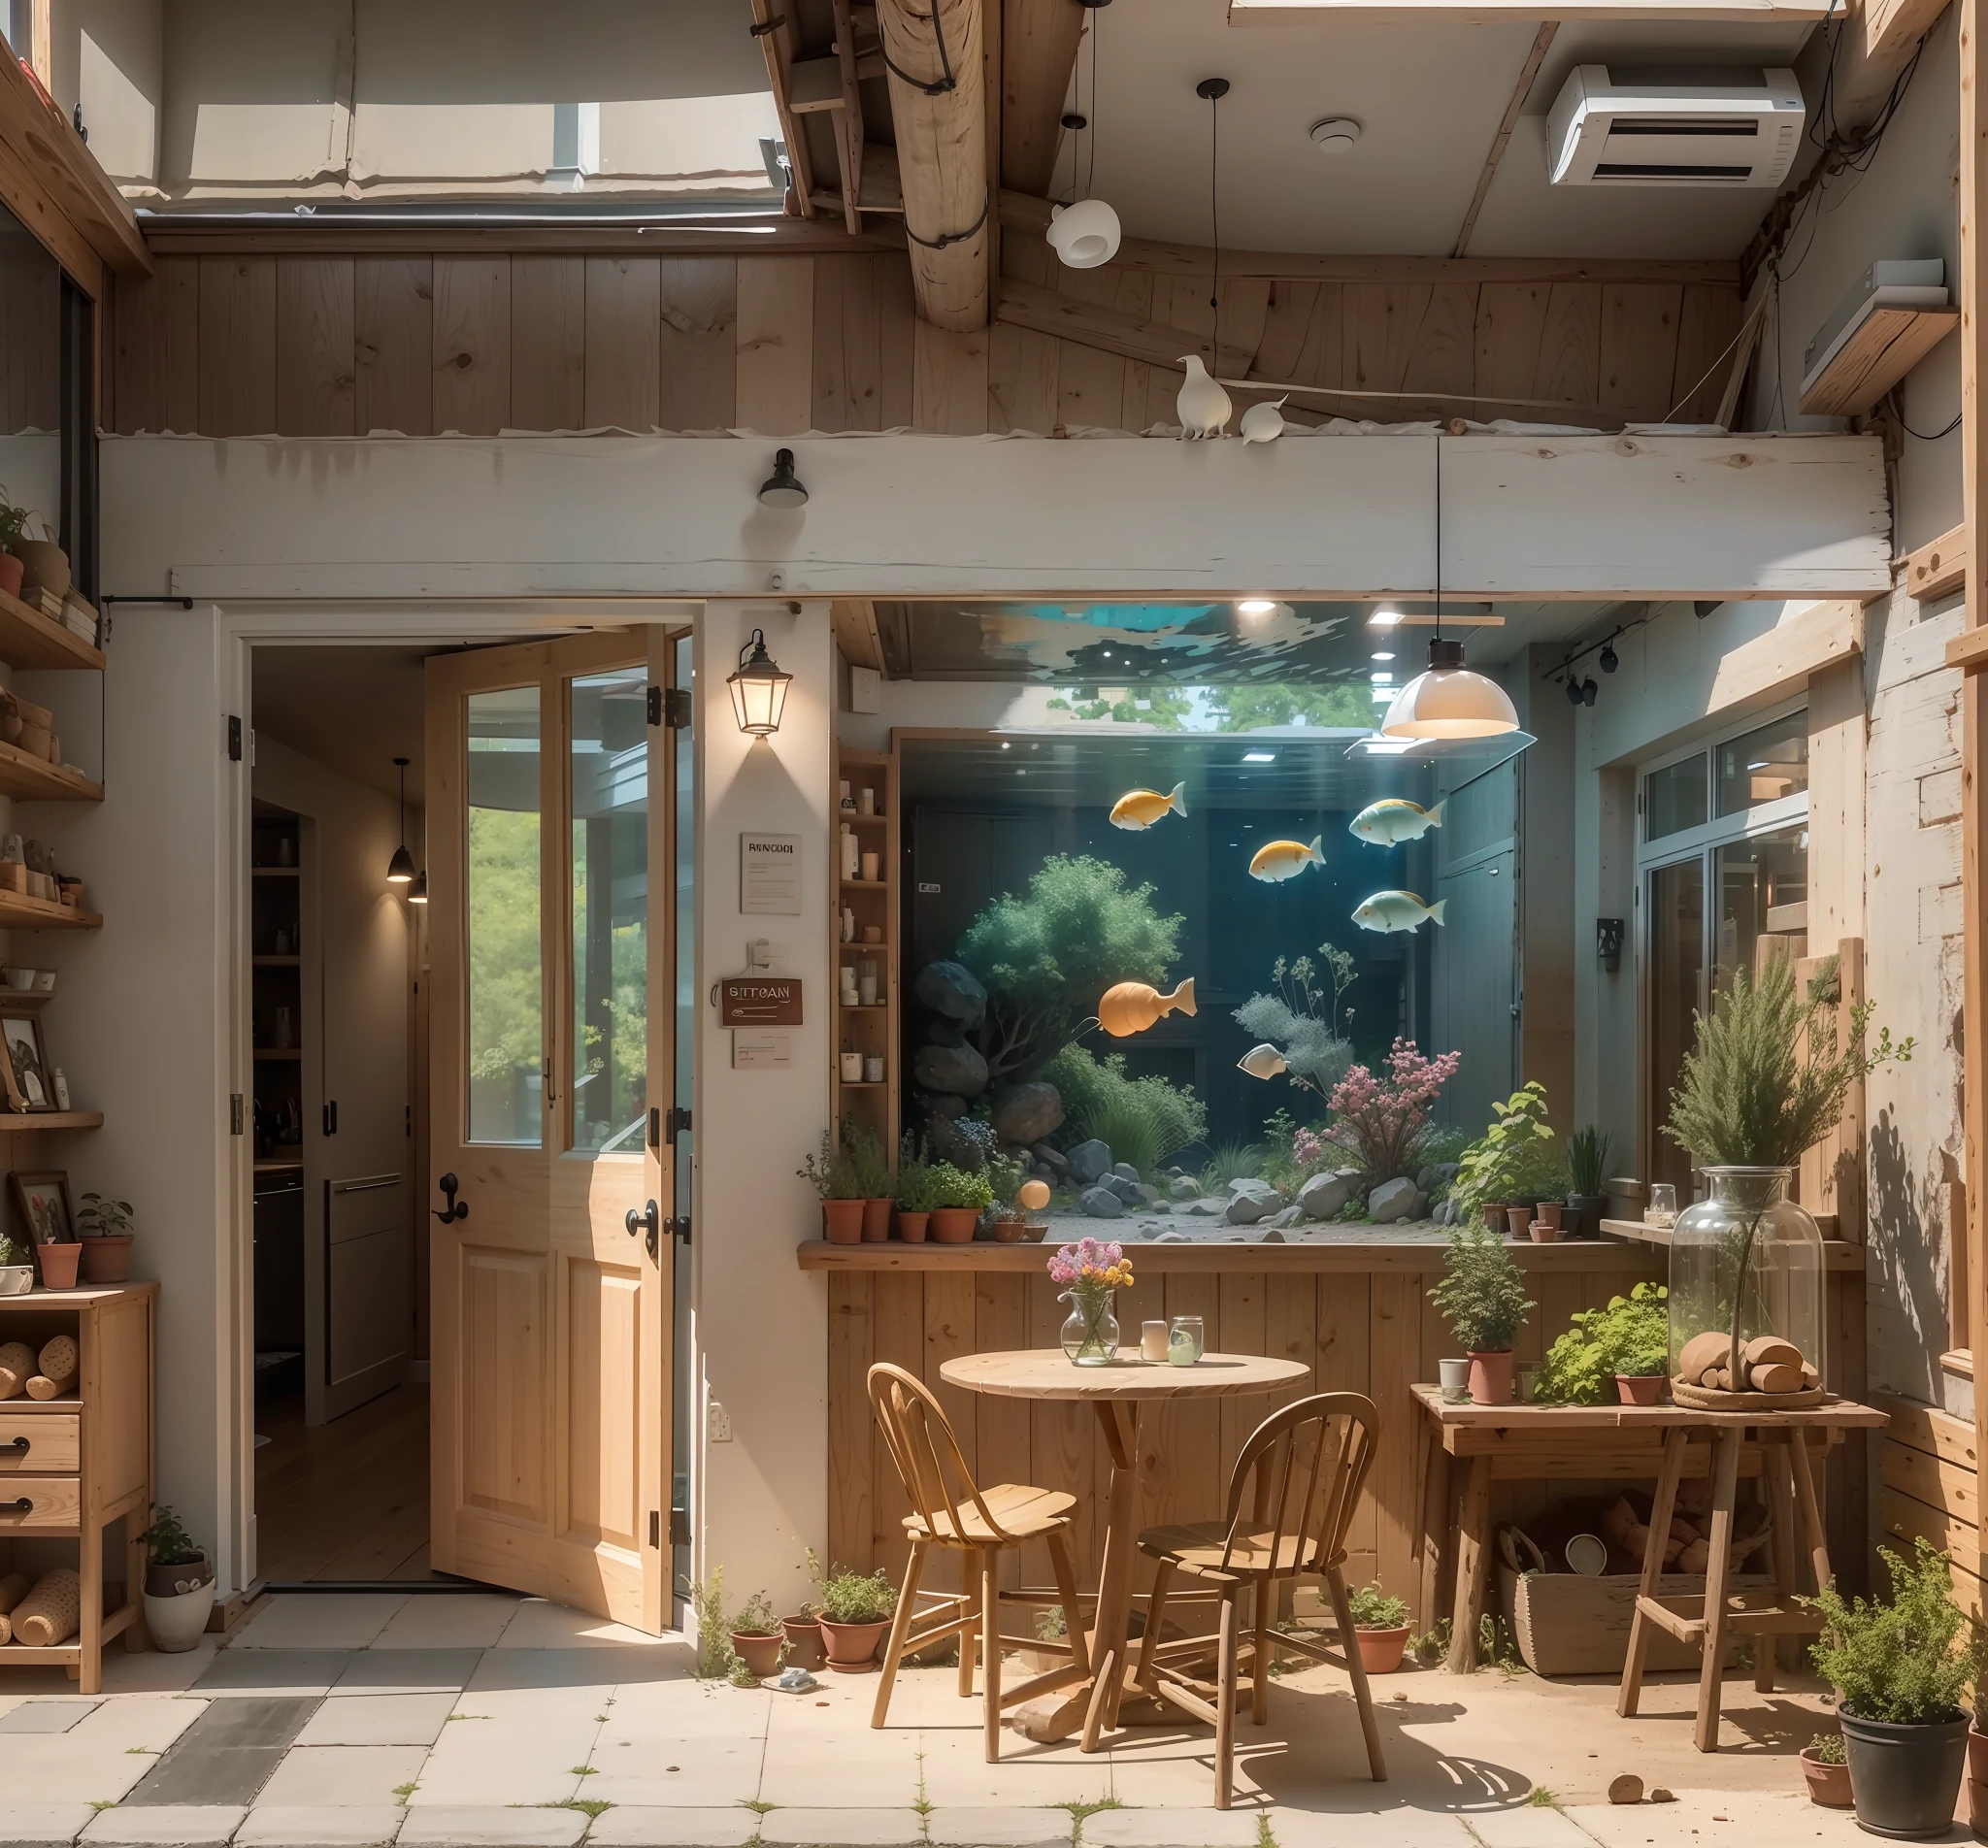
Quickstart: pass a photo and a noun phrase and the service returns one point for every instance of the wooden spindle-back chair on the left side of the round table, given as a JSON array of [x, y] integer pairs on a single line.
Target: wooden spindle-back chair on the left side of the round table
[[951, 1511]]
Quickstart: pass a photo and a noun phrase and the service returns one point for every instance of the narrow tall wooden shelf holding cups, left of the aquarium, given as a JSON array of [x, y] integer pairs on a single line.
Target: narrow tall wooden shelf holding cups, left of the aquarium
[[866, 1030]]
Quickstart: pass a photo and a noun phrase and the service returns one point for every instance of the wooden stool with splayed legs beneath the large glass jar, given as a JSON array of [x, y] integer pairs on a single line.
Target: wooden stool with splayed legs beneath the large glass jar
[[1709, 1620]]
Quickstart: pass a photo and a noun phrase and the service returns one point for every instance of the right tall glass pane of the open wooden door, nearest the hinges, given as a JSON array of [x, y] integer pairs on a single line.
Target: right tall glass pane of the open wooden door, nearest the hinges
[[611, 911]]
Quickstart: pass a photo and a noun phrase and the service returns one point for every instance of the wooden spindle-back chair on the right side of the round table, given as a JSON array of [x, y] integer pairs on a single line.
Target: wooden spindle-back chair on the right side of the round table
[[1291, 1499]]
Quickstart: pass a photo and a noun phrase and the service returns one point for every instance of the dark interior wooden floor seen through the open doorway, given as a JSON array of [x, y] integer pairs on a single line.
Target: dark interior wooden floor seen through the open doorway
[[345, 1499]]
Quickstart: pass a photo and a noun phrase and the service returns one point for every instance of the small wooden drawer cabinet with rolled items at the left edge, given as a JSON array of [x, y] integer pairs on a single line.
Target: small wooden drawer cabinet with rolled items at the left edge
[[98, 1463]]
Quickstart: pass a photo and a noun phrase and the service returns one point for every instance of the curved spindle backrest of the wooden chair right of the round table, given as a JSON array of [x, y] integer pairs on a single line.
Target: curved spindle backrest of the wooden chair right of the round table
[[1297, 1481]]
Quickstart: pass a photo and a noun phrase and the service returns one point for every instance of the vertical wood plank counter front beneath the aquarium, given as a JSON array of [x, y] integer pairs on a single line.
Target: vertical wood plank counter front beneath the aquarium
[[1353, 1312]]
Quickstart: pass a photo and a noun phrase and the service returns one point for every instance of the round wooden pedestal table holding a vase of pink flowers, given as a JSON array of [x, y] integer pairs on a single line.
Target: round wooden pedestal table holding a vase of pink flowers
[[1088, 1702]]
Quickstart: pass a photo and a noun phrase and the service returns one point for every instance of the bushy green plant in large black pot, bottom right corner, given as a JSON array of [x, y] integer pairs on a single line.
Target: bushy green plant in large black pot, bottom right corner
[[1900, 1672]]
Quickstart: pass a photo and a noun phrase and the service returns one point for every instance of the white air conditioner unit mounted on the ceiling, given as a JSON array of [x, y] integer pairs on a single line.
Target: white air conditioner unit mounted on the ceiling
[[1651, 128]]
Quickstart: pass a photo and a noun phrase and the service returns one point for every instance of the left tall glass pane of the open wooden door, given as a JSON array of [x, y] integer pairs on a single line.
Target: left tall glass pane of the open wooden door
[[502, 919]]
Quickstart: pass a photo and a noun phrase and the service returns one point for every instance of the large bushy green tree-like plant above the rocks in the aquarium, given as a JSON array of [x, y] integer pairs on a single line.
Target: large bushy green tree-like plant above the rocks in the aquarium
[[1049, 957]]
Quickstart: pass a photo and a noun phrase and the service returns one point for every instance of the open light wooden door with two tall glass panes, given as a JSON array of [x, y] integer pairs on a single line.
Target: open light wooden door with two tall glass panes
[[552, 927]]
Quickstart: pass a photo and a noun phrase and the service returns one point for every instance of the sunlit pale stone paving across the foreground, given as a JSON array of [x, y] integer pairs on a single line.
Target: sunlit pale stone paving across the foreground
[[349, 1722]]
